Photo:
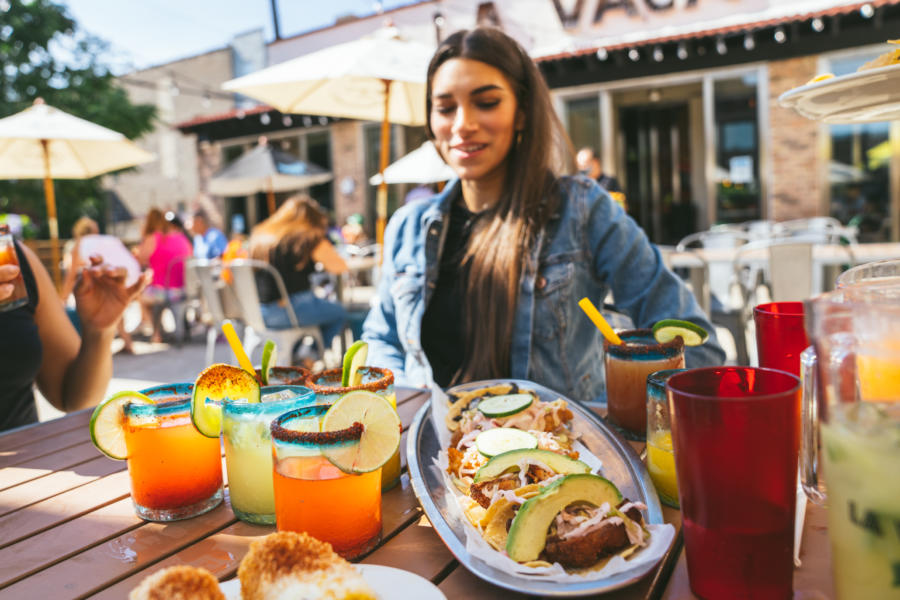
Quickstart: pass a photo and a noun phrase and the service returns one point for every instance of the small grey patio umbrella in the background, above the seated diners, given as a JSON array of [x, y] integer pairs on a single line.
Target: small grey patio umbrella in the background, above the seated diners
[[265, 169]]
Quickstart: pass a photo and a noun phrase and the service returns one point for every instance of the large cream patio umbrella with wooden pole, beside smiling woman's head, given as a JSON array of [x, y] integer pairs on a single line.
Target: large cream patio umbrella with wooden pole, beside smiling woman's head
[[376, 78]]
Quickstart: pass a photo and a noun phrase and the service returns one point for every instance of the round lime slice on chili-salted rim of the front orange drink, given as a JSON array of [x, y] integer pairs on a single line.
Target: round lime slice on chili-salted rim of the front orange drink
[[380, 436]]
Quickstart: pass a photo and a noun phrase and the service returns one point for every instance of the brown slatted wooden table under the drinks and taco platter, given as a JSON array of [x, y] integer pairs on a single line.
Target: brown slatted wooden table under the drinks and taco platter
[[68, 529]]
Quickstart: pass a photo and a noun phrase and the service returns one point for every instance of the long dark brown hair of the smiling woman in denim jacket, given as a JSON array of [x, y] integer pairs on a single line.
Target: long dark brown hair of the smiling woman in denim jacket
[[500, 242]]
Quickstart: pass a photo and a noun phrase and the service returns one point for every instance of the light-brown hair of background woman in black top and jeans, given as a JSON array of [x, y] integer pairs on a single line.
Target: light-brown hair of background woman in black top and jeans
[[300, 223]]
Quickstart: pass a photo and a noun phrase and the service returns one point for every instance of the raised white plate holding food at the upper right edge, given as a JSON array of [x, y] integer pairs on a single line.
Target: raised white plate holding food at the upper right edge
[[863, 97]]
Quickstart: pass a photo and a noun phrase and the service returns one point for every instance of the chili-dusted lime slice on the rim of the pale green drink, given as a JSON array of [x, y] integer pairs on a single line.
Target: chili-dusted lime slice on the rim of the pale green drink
[[215, 385]]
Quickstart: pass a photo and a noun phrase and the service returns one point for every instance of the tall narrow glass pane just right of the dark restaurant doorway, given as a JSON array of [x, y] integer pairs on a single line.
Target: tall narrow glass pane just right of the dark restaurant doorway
[[737, 150]]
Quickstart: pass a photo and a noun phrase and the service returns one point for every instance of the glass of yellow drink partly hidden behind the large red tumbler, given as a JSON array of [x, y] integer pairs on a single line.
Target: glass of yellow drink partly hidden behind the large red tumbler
[[660, 458]]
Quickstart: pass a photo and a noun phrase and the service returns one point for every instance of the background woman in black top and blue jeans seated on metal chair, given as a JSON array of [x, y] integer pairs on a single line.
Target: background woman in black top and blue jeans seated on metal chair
[[294, 240]]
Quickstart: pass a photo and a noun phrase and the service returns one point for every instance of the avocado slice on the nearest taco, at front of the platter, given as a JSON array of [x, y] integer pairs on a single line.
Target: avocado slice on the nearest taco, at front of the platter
[[528, 532]]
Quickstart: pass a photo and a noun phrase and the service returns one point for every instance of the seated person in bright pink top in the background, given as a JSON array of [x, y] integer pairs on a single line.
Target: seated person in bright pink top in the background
[[164, 248]]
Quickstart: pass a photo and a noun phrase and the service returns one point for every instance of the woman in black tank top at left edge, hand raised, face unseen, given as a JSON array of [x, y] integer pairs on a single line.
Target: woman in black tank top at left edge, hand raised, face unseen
[[39, 344]]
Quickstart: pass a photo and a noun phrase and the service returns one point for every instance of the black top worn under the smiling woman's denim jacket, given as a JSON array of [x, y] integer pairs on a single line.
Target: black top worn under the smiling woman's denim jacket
[[443, 335]]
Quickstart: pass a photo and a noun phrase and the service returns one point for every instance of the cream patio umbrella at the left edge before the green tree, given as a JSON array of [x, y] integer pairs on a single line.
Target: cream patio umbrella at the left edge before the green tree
[[43, 142]]
